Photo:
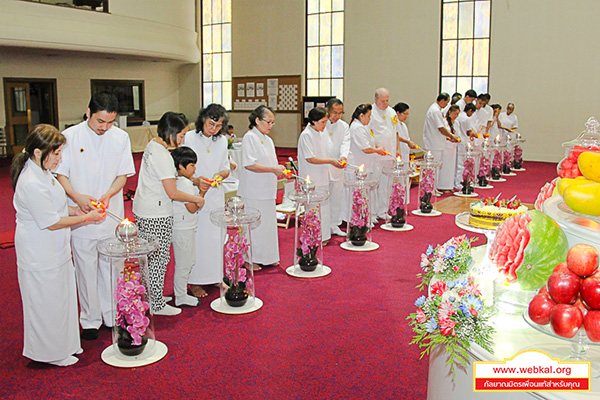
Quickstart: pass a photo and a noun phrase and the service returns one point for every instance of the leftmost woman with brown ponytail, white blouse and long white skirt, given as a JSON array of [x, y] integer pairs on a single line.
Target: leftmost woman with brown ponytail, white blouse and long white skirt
[[42, 242]]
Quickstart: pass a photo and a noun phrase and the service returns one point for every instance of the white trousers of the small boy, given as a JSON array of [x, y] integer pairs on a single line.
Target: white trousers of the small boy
[[184, 252]]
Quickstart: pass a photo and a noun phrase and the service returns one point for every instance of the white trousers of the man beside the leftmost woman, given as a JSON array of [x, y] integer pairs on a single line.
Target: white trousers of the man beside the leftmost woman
[[93, 284]]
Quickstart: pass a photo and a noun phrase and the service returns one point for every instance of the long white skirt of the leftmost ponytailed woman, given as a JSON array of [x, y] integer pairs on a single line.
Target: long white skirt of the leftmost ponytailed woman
[[50, 327]]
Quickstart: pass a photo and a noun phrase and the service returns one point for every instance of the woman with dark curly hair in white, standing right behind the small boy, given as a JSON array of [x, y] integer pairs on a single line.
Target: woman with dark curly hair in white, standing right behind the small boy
[[210, 146]]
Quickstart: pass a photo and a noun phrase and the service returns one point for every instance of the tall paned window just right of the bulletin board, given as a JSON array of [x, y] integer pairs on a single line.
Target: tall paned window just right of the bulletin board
[[325, 48]]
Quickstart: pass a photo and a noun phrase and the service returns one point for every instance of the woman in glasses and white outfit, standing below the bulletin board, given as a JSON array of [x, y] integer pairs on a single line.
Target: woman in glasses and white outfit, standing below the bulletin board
[[258, 184]]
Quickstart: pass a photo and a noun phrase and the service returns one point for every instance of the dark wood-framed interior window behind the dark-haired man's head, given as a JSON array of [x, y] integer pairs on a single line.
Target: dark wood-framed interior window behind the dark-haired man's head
[[129, 93]]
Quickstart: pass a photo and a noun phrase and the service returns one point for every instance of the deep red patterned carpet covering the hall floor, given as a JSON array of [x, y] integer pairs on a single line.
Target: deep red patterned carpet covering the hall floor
[[344, 336]]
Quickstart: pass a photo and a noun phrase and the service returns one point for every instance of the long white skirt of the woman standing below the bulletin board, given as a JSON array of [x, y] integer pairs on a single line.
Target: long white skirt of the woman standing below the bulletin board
[[265, 241]]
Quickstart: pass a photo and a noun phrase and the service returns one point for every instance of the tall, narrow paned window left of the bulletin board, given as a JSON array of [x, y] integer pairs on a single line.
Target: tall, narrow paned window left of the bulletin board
[[216, 52]]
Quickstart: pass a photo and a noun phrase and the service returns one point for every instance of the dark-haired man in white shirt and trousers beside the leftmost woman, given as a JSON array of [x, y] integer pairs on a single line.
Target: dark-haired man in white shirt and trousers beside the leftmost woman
[[96, 162]]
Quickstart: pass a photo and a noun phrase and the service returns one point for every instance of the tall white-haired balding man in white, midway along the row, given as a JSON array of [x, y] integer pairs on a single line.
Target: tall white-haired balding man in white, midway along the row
[[383, 124]]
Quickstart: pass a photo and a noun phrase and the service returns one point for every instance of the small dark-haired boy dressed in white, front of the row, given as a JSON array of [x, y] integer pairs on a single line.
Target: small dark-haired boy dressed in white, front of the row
[[185, 225]]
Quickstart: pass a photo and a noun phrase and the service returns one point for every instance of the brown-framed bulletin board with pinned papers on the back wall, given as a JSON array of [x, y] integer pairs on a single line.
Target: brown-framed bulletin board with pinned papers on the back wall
[[281, 93]]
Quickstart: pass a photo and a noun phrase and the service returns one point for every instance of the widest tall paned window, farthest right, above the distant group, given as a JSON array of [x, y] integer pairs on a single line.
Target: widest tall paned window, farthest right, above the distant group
[[465, 45]]
